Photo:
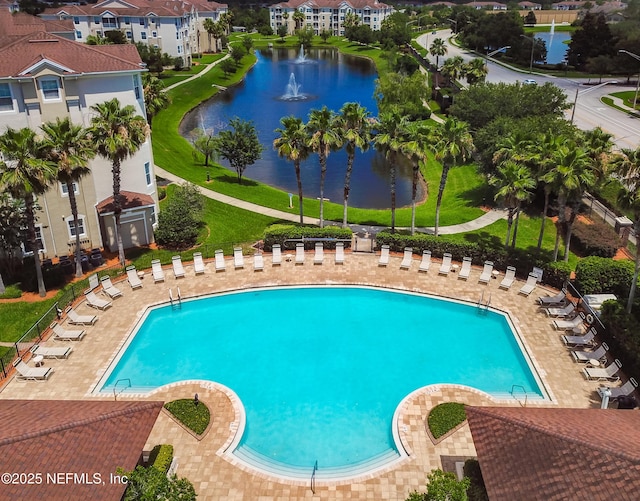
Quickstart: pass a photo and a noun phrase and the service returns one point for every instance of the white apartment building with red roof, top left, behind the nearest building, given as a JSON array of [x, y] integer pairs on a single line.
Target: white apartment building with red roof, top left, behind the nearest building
[[173, 26]]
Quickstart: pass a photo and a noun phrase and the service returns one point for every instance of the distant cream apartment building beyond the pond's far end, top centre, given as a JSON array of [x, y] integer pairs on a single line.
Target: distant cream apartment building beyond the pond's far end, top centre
[[329, 15]]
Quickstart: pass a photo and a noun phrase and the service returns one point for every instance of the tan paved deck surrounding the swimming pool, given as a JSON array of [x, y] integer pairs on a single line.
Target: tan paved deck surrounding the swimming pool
[[203, 462]]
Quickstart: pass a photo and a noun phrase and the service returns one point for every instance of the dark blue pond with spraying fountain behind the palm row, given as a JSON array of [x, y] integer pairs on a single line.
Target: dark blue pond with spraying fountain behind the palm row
[[285, 82]]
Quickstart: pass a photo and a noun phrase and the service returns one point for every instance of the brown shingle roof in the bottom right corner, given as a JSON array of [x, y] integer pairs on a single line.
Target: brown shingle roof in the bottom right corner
[[557, 454]]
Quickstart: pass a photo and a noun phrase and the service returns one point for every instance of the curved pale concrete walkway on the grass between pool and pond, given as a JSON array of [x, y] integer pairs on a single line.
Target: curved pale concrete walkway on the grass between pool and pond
[[484, 220]]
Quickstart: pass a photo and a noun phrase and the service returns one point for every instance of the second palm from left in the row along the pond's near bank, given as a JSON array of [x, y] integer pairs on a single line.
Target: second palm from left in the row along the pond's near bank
[[324, 136]]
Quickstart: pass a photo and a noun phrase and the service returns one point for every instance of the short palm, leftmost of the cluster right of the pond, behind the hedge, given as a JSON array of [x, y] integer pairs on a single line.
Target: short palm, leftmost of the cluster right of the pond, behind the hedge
[[514, 182]]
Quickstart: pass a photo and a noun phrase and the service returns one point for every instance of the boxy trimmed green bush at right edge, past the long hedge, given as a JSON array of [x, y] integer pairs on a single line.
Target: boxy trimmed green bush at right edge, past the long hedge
[[596, 275]]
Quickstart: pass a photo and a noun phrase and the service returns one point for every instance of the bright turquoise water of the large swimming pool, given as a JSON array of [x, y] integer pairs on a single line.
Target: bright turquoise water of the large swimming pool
[[321, 370]]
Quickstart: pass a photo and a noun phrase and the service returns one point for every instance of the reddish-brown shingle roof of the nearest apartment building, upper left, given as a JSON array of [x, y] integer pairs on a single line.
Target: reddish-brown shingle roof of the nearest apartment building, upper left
[[21, 53]]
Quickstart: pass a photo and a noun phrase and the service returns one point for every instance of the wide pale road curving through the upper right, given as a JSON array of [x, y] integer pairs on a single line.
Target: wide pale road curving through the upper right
[[590, 111]]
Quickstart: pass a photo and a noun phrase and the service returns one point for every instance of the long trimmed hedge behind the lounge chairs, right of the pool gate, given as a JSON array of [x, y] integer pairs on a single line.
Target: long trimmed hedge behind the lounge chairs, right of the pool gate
[[555, 274]]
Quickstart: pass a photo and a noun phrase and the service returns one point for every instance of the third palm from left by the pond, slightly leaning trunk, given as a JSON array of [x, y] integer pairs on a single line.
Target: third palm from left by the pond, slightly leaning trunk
[[356, 132]]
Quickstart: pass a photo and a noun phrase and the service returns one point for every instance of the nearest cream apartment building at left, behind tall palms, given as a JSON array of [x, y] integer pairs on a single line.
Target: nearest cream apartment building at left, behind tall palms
[[44, 76]]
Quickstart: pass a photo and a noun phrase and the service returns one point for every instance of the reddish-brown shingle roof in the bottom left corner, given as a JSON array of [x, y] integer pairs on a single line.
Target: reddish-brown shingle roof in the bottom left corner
[[55, 438]]
